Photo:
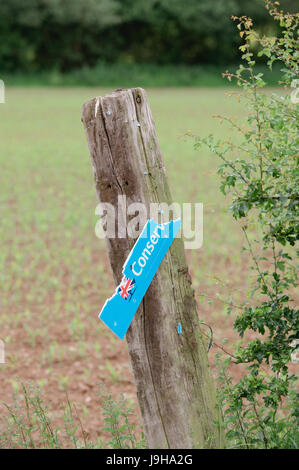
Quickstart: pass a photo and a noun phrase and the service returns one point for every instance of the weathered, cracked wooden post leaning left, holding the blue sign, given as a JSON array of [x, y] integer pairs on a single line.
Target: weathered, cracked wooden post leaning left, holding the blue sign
[[175, 390]]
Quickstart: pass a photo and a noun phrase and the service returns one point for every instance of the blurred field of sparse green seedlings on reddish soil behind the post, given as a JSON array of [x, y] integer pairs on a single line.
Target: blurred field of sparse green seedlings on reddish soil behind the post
[[54, 272]]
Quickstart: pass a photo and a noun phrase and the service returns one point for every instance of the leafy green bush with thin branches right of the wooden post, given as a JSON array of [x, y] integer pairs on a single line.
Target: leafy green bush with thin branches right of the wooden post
[[260, 174]]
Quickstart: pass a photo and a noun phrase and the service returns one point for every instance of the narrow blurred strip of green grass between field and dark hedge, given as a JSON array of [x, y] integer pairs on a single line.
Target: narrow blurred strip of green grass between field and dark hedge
[[131, 75]]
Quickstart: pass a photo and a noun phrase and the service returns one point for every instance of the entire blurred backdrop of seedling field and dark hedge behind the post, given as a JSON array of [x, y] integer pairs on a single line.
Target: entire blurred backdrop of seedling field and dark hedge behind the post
[[54, 272]]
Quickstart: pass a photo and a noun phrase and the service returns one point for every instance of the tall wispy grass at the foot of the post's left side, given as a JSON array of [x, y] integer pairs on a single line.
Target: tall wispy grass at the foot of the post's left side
[[29, 424]]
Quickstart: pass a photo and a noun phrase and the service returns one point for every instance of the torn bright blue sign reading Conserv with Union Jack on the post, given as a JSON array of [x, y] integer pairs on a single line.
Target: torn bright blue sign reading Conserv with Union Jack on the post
[[138, 272]]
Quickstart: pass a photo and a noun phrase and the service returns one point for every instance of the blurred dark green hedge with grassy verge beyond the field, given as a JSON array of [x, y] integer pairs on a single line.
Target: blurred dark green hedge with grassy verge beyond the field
[[93, 42]]
